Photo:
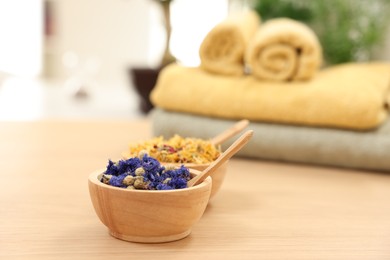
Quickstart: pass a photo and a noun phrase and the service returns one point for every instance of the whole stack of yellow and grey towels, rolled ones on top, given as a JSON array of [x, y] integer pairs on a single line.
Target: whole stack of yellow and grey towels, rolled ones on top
[[270, 73]]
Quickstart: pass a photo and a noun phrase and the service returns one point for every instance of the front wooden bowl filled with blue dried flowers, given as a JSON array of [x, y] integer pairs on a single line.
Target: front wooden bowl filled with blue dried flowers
[[148, 216]]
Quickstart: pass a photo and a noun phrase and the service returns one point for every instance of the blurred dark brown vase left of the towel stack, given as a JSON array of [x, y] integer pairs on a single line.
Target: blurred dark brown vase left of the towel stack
[[144, 80]]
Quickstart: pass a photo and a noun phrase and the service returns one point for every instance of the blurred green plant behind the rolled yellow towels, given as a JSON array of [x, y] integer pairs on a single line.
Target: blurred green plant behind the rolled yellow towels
[[349, 30]]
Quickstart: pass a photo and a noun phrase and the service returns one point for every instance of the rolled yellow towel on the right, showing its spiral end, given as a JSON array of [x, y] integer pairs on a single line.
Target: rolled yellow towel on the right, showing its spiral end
[[284, 49]]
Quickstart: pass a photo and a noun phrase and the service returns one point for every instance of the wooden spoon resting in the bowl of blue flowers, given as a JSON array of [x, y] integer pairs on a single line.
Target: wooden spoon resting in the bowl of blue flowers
[[233, 149]]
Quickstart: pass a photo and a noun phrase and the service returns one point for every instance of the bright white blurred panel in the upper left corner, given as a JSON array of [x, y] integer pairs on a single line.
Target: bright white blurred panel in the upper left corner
[[20, 37]]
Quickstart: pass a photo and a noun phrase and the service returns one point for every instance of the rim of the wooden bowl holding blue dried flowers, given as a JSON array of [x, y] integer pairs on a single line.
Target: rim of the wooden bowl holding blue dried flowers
[[94, 178]]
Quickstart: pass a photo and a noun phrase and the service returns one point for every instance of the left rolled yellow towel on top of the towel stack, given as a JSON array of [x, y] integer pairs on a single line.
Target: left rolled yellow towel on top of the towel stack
[[222, 50]]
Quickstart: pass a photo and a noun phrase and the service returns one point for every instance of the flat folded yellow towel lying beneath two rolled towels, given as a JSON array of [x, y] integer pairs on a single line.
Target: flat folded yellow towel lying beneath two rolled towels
[[346, 96]]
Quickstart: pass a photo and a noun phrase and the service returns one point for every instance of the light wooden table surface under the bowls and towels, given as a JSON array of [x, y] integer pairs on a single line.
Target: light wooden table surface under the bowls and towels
[[265, 210]]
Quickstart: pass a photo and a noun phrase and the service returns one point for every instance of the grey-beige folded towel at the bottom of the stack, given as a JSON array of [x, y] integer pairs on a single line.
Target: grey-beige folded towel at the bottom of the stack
[[321, 146]]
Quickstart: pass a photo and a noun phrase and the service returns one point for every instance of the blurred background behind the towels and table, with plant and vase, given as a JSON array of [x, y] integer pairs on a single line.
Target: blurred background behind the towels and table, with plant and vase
[[79, 59]]
